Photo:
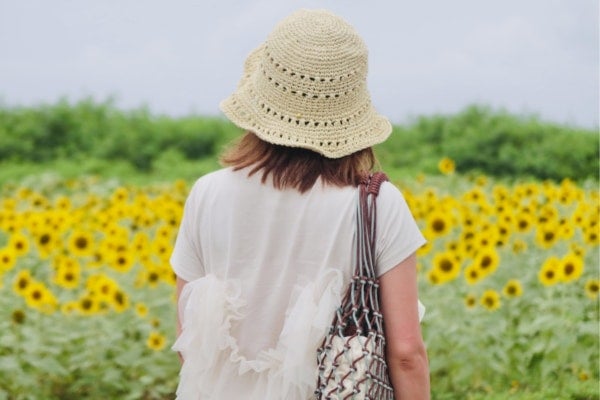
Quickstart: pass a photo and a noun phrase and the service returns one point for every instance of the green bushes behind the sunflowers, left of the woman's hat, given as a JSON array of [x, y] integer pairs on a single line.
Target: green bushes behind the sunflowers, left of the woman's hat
[[98, 130]]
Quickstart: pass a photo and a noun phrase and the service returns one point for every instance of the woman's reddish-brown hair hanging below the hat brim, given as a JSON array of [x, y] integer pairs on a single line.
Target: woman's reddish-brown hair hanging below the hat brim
[[297, 168]]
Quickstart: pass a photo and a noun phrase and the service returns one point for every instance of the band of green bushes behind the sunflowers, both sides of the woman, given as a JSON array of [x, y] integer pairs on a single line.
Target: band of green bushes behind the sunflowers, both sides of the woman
[[478, 139]]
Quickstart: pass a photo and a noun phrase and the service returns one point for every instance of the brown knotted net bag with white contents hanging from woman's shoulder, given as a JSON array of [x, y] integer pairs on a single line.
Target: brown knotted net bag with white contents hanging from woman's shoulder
[[351, 359]]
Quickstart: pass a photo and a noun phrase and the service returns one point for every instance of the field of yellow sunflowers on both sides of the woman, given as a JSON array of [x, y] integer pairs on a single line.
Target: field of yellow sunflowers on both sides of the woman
[[509, 277]]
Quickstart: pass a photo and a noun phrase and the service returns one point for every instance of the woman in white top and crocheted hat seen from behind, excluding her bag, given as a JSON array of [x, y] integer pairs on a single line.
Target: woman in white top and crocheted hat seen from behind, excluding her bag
[[263, 254]]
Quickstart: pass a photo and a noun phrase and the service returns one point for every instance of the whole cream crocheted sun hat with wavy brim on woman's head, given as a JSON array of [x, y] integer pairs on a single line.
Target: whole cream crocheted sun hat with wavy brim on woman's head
[[306, 86]]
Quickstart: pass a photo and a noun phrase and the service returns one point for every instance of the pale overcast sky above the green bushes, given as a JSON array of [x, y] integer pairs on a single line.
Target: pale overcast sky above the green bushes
[[183, 56]]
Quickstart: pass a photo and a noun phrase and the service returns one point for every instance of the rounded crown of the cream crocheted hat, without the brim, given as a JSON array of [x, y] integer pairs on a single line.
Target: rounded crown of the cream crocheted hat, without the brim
[[313, 67]]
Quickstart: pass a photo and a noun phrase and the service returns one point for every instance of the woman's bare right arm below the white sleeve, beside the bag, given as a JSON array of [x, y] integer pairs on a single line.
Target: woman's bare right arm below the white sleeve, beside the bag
[[406, 354]]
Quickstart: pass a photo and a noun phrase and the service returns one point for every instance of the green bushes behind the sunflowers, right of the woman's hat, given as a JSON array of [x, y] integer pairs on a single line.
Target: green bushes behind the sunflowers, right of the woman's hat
[[494, 143]]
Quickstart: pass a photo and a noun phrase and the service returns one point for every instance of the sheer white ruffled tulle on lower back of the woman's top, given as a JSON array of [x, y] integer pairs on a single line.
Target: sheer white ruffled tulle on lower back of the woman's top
[[212, 356]]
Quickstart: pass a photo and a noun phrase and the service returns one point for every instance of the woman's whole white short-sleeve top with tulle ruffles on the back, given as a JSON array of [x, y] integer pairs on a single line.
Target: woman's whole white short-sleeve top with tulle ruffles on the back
[[266, 269]]
